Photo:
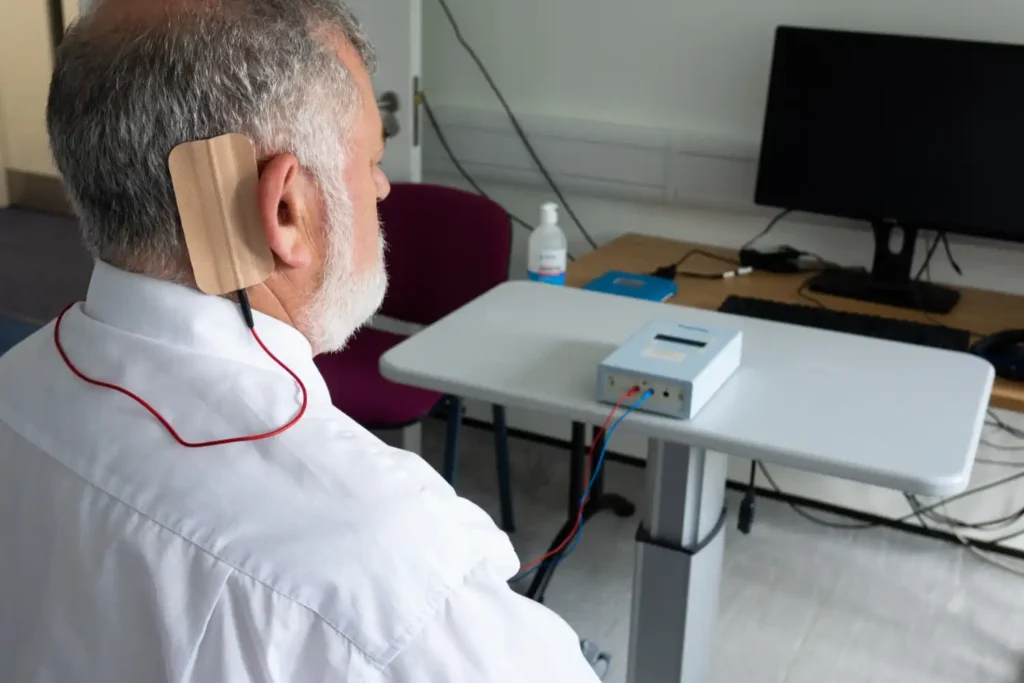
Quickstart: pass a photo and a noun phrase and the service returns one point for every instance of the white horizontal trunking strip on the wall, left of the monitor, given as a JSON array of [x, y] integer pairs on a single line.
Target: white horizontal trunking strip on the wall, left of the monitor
[[619, 161]]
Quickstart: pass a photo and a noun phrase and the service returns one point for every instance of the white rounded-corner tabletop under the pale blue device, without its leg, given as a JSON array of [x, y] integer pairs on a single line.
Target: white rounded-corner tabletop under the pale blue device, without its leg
[[878, 412]]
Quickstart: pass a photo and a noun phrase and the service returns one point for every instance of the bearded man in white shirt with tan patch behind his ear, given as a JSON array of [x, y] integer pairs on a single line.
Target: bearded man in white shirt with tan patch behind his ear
[[317, 554]]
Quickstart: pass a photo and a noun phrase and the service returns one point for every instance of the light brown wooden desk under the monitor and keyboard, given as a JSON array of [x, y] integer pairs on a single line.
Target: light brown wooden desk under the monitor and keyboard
[[982, 312]]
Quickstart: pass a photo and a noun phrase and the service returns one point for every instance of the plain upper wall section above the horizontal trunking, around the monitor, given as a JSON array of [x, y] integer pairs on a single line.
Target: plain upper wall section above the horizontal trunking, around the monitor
[[689, 65]]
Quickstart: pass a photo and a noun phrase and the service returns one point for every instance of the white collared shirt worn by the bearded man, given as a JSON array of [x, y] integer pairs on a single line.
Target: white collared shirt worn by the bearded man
[[319, 556]]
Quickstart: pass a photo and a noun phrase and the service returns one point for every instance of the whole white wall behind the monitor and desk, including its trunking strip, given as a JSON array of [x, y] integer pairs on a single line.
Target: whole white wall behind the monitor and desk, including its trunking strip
[[650, 114]]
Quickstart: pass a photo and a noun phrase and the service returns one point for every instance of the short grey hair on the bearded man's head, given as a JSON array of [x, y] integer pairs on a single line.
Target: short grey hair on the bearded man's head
[[123, 97]]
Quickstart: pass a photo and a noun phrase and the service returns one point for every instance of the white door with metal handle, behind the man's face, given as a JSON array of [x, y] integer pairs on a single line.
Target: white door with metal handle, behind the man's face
[[396, 30]]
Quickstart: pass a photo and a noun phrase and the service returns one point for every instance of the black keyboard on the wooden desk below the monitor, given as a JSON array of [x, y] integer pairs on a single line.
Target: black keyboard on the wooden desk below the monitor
[[922, 334]]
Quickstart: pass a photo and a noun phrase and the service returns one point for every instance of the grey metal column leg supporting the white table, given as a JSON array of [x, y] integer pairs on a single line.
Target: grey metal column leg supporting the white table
[[678, 567]]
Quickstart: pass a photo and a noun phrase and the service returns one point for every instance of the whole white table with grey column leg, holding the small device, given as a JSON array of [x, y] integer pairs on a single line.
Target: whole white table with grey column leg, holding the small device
[[883, 413]]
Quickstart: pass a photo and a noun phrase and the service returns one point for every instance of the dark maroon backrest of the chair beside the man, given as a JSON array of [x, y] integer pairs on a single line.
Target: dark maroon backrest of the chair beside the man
[[445, 248]]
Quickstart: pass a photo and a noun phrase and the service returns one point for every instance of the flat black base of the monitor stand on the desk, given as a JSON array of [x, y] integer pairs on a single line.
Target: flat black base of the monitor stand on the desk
[[863, 286]]
